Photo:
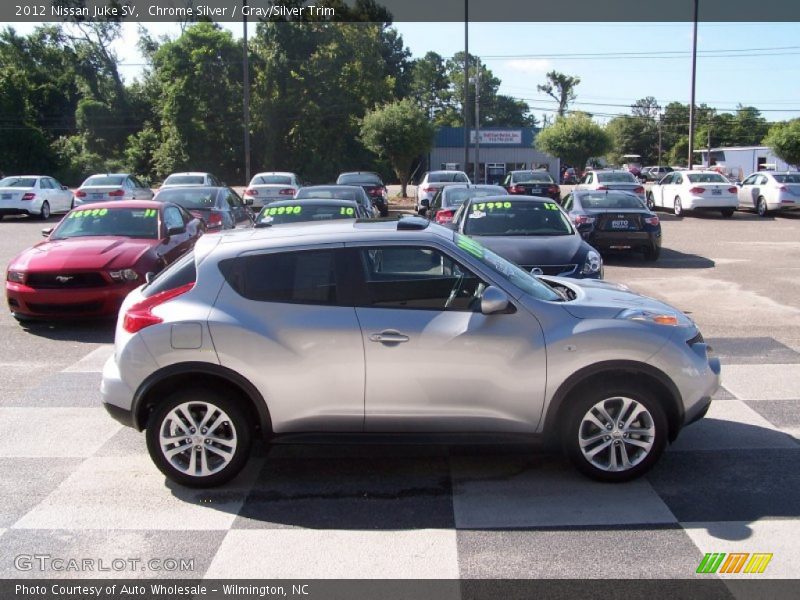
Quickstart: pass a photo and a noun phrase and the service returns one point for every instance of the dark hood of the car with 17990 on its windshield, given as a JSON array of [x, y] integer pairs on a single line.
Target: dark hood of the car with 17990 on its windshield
[[534, 250]]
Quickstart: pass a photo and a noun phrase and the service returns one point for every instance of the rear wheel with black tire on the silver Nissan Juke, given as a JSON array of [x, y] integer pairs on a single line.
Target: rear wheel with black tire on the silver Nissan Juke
[[235, 432]]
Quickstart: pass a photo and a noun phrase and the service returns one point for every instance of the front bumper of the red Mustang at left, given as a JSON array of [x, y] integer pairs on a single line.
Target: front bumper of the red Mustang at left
[[72, 303]]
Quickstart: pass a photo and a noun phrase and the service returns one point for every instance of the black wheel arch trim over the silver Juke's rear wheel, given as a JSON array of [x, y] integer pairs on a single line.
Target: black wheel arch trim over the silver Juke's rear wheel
[[255, 398]]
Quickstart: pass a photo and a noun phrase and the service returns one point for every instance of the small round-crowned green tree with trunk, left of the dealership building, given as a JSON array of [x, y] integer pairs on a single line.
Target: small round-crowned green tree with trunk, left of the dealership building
[[399, 132]]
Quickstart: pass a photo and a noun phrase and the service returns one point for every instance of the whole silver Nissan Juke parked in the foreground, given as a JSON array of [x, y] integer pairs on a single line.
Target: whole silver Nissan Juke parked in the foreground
[[395, 327]]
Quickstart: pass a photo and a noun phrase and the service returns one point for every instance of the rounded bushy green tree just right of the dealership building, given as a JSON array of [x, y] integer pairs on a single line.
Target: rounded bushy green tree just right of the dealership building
[[574, 139]]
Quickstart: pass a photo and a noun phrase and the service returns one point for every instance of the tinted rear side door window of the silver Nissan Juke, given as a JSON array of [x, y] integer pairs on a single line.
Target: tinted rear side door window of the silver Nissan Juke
[[307, 277]]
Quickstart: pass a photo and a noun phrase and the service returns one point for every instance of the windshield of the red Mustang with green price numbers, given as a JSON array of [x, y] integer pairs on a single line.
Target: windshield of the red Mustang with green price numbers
[[125, 222]]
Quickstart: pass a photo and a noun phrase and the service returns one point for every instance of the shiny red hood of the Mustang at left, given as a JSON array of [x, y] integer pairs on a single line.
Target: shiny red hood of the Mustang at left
[[95, 253]]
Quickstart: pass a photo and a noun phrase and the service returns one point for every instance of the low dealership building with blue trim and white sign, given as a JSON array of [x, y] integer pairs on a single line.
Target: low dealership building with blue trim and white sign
[[500, 150]]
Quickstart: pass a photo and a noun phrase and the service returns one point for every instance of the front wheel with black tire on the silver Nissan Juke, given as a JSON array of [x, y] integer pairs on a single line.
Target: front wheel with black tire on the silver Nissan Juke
[[611, 394]]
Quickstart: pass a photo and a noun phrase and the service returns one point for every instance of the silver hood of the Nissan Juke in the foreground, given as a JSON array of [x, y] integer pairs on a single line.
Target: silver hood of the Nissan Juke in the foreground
[[598, 299]]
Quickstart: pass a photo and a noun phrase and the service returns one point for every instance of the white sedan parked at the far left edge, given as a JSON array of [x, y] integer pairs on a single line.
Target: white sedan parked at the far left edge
[[35, 195]]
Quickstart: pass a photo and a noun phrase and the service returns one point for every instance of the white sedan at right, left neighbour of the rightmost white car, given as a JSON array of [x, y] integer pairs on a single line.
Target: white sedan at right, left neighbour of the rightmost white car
[[692, 190]]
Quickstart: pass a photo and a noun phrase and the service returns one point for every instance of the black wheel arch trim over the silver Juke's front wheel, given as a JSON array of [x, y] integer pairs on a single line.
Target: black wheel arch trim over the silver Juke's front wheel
[[551, 426]]
